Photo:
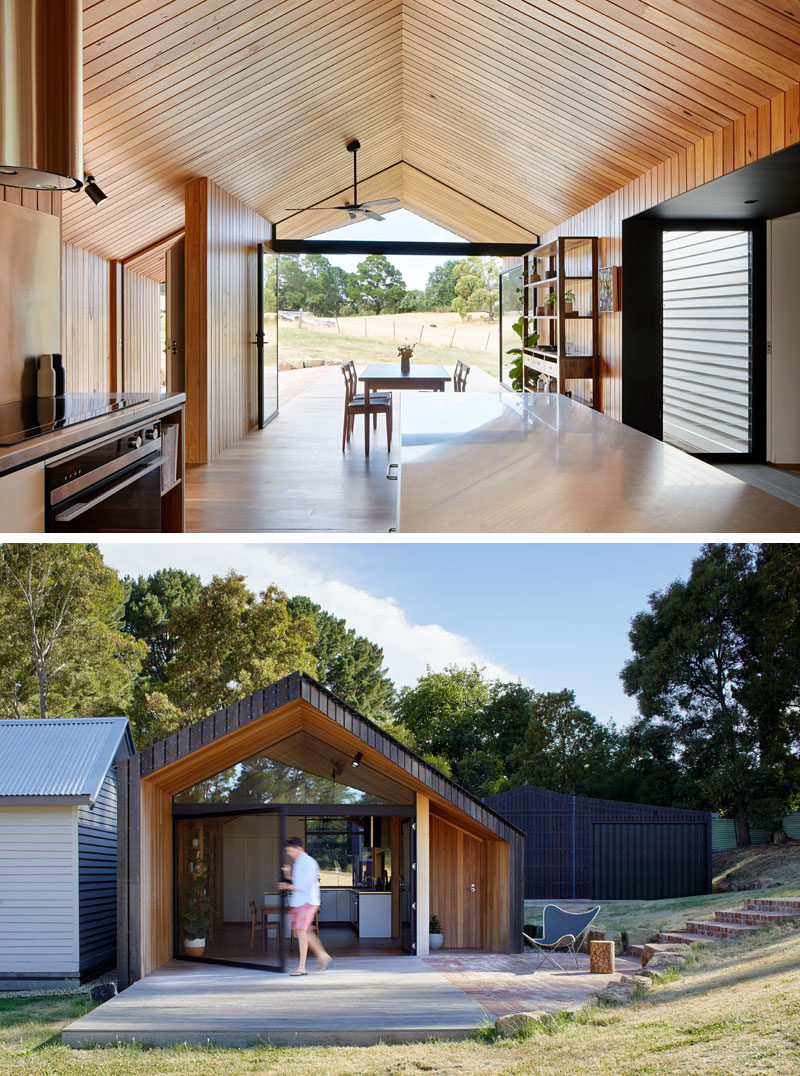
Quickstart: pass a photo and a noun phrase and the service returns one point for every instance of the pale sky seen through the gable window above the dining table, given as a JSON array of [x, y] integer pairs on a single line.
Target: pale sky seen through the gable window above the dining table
[[400, 226]]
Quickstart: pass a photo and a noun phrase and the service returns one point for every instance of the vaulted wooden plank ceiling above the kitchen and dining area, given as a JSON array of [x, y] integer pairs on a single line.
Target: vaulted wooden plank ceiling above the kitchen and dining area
[[532, 111]]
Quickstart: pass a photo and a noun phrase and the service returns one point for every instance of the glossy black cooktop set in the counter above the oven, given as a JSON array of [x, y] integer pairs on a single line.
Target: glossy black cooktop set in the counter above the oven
[[32, 418]]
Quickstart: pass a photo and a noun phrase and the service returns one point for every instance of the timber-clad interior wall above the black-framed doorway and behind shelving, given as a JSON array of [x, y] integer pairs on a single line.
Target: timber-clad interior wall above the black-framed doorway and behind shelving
[[762, 132]]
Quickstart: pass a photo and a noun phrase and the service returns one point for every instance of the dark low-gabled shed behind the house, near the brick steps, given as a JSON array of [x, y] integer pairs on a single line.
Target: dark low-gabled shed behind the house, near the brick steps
[[582, 848]]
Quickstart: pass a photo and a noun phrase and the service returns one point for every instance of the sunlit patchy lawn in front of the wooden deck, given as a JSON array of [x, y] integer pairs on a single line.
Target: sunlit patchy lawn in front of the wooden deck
[[735, 1012]]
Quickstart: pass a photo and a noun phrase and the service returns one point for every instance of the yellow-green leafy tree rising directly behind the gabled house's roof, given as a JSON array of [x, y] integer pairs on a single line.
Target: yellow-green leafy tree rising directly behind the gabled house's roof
[[233, 643]]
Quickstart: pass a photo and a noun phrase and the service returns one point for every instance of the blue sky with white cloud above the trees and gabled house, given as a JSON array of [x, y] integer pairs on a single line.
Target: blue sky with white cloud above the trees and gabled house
[[552, 615]]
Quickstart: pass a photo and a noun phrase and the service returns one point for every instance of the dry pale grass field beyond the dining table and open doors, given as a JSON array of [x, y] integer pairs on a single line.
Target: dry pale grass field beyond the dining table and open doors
[[299, 346]]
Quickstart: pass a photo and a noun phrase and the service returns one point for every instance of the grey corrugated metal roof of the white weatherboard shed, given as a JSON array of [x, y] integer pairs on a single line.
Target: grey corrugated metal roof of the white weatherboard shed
[[67, 758]]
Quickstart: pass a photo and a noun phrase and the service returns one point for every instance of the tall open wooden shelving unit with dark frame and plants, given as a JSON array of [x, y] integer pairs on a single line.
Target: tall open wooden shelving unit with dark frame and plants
[[569, 345]]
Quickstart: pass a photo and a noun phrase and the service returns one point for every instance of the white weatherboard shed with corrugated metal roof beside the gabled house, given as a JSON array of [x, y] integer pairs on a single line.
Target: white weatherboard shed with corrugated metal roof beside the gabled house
[[59, 848]]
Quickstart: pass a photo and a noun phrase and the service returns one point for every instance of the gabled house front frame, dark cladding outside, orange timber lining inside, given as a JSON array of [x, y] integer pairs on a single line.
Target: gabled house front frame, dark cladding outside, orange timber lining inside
[[447, 816]]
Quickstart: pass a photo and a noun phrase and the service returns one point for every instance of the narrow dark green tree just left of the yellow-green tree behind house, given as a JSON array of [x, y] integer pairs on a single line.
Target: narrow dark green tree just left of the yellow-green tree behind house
[[152, 601]]
